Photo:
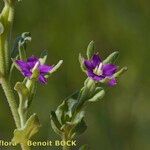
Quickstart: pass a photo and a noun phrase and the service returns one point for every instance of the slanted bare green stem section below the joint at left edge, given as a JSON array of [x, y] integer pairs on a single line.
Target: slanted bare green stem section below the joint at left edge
[[11, 100]]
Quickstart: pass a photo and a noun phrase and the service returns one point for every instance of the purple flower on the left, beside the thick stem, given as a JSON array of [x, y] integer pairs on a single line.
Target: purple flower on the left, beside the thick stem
[[27, 67]]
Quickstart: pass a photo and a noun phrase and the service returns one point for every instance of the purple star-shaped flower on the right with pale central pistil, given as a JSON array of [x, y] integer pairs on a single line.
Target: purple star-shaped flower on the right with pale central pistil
[[98, 71]]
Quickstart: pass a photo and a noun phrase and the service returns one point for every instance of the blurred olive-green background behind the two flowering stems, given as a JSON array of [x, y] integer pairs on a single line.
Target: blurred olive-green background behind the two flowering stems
[[64, 27]]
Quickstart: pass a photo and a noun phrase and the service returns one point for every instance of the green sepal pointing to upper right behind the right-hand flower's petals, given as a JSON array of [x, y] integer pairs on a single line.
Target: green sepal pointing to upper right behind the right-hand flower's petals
[[111, 58]]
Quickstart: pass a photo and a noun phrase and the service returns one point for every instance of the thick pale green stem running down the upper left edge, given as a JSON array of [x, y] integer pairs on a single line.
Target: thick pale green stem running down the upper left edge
[[6, 19]]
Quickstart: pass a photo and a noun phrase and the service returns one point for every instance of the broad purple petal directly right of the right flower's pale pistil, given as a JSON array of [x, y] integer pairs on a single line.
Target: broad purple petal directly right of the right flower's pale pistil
[[109, 69]]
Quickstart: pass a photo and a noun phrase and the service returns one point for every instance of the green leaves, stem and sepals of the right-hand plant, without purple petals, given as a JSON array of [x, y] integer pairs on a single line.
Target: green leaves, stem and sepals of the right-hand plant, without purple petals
[[69, 117]]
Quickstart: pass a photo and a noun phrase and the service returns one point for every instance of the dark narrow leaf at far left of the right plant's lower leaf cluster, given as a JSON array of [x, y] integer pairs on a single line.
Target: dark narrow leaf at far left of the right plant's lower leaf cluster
[[56, 126]]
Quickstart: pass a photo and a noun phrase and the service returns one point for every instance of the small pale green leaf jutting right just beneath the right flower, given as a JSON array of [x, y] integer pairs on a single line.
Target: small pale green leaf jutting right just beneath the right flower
[[100, 93]]
